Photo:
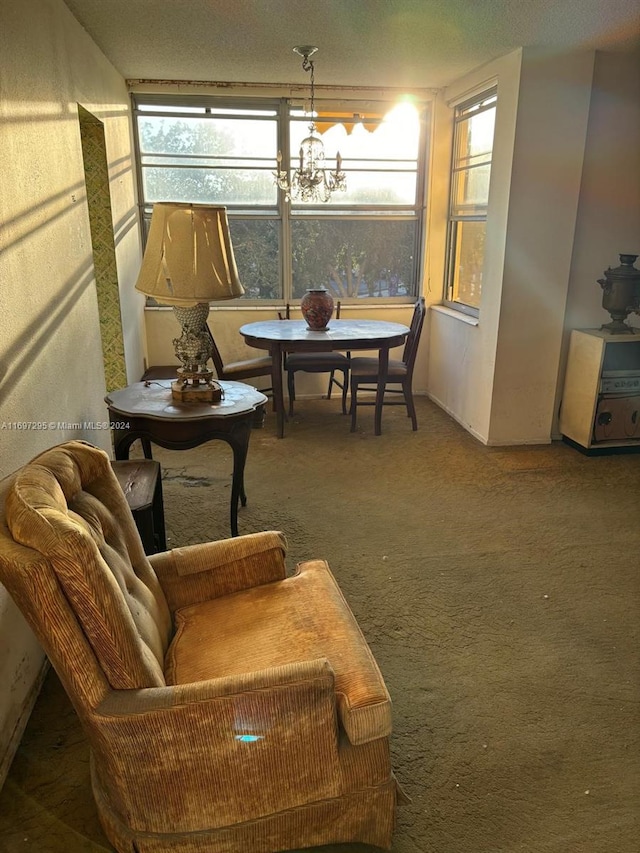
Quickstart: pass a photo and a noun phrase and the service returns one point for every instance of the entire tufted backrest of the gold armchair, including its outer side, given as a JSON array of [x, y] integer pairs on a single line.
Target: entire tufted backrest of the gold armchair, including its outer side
[[72, 559]]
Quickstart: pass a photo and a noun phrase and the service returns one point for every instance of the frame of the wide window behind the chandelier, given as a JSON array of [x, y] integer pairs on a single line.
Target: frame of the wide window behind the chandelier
[[284, 213]]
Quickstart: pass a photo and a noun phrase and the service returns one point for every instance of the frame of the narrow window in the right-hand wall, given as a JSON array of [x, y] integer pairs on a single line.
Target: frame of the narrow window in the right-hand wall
[[464, 110]]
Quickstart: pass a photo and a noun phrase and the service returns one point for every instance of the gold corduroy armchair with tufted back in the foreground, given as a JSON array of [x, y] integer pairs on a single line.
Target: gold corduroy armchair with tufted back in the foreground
[[228, 706]]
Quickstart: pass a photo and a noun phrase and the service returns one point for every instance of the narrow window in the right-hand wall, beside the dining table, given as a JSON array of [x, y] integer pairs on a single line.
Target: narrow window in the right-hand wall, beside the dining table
[[474, 124]]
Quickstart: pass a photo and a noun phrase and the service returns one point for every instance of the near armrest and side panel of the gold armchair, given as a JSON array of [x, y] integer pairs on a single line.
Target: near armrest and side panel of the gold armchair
[[239, 736]]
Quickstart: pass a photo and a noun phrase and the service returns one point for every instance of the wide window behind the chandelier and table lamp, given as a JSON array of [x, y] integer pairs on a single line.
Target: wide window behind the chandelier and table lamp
[[364, 243]]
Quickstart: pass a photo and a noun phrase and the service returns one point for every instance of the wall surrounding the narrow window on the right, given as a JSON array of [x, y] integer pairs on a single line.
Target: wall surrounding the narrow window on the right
[[461, 356]]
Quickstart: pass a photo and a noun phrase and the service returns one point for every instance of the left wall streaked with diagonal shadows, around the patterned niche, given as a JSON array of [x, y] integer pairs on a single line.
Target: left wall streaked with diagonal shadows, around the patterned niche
[[51, 367]]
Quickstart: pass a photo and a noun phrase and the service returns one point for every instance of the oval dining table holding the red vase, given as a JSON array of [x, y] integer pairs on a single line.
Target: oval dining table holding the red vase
[[284, 336]]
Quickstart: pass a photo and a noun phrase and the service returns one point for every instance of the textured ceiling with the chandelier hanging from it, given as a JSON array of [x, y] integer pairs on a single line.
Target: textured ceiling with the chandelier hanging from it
[[390, 43]]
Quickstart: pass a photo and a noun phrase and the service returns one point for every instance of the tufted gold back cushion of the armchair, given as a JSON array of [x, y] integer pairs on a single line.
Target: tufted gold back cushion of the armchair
[[72, 510]]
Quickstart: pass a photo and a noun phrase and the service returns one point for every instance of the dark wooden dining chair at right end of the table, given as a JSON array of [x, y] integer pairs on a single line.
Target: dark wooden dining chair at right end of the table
[[364, 372]]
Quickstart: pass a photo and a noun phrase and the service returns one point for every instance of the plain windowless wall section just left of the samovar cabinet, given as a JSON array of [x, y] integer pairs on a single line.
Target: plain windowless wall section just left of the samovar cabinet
[[551, 130]]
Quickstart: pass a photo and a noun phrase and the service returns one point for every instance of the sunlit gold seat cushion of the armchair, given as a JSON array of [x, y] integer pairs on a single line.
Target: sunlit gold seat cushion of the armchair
[[300, 618]]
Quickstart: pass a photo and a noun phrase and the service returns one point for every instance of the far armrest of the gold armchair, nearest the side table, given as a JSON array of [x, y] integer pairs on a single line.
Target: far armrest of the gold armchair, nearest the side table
[[199, 573]]
